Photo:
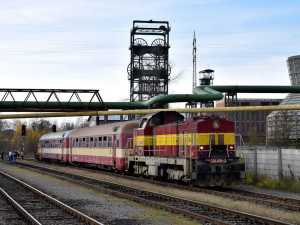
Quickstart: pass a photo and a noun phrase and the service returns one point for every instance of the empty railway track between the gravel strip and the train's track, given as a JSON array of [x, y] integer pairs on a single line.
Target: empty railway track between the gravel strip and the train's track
[[205, 213]]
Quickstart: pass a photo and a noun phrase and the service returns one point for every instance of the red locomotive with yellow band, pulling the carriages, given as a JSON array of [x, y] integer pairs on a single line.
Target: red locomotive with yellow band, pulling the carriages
[[200, 150]]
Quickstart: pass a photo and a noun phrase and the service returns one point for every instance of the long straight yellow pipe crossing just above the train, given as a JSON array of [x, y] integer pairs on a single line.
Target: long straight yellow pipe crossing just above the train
[[147, 111]]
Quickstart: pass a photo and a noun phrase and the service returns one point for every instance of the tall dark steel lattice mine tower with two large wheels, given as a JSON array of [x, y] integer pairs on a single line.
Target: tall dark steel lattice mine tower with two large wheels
[[149, 70]]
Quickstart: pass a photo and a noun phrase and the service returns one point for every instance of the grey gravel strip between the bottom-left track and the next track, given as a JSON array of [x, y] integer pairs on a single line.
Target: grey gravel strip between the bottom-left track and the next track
[[104, 208]]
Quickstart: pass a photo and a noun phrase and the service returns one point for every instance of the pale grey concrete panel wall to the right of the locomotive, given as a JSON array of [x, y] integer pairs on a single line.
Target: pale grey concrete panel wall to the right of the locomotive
[[273, 161]]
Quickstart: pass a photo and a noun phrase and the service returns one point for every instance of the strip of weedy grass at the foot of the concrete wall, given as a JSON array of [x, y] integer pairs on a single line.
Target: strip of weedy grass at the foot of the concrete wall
[[290, 184]]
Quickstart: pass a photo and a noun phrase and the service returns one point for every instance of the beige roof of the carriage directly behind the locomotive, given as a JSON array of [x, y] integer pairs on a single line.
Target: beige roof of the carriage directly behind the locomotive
[[111, 128]]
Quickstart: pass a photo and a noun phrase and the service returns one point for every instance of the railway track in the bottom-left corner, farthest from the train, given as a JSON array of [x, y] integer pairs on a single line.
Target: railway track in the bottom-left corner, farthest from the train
[[35, 207]]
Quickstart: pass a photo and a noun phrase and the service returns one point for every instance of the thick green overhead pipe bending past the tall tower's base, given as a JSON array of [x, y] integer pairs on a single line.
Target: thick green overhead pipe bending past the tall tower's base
[[201, 94]]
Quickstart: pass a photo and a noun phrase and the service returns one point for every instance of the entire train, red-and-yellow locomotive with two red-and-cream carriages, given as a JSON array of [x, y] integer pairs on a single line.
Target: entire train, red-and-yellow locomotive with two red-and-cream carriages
[[201, 151]]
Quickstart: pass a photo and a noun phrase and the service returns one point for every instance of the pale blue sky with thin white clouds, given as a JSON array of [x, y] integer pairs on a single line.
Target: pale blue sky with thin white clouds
[[84, 44]]
